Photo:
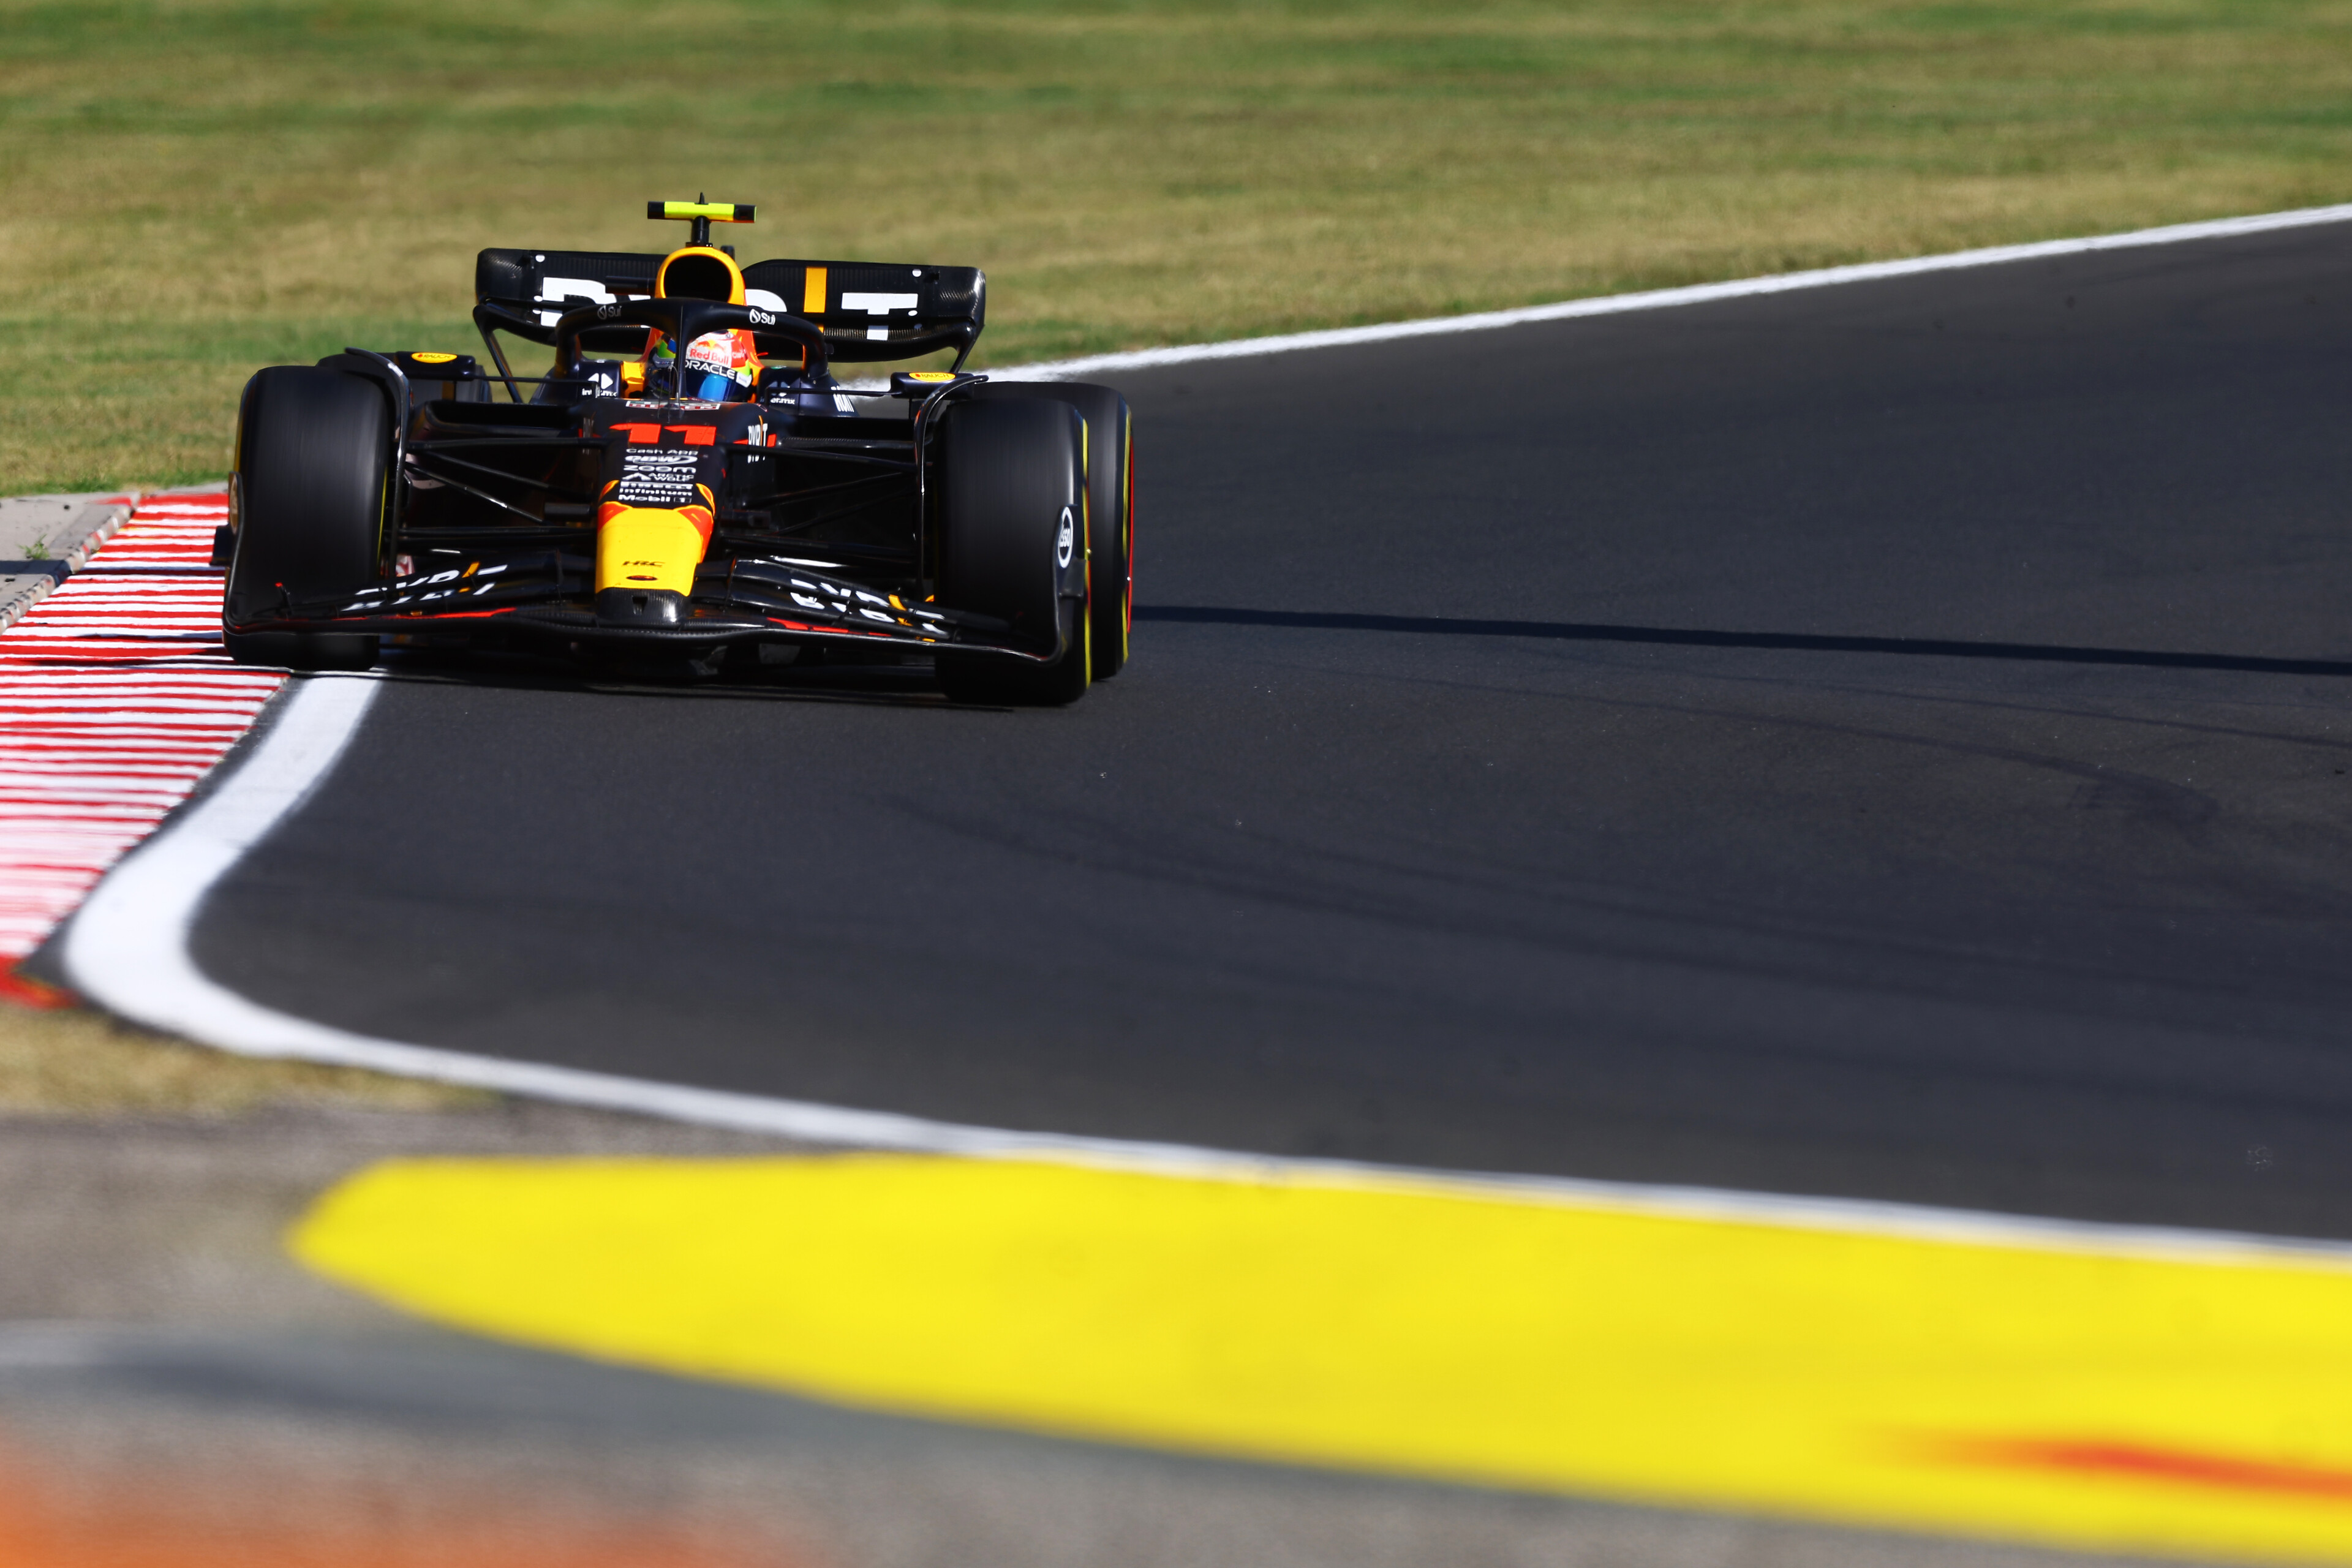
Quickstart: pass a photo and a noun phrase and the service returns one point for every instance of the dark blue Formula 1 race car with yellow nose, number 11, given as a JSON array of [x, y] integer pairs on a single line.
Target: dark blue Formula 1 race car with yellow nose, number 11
[[704, 500]]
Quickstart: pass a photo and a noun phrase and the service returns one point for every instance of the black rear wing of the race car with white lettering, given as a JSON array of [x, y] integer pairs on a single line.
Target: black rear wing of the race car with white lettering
[[867, 309]]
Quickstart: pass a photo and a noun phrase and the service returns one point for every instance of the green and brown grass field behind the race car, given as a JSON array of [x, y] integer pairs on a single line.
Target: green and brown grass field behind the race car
[[203, 187]]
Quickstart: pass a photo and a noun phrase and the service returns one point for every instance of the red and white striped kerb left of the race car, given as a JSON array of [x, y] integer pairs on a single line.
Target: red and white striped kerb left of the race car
[[116, 699]]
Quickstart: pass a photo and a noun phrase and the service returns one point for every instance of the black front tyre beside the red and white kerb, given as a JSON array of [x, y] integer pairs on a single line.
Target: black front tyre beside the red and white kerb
[[314, 453]]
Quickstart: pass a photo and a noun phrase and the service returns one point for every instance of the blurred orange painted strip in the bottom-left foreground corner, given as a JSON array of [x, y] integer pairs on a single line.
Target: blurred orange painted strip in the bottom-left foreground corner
[[140, 1522]]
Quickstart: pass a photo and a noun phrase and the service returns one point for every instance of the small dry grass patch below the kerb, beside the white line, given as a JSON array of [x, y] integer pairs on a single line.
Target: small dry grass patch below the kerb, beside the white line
[[81, 1064]]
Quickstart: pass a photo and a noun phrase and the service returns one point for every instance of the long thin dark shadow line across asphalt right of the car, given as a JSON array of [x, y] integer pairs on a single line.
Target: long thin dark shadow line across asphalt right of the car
[[1579, 631]]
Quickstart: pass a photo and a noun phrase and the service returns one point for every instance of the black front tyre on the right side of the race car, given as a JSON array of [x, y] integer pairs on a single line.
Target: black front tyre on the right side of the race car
[[1013, 544]]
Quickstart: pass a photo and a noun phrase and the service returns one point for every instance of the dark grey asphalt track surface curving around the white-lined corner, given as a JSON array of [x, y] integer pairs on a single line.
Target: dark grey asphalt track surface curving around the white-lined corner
[[1880, 742]]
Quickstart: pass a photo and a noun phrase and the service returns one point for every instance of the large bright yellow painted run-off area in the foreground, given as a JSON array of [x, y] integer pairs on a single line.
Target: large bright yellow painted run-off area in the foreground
[[2076, 1391]]
